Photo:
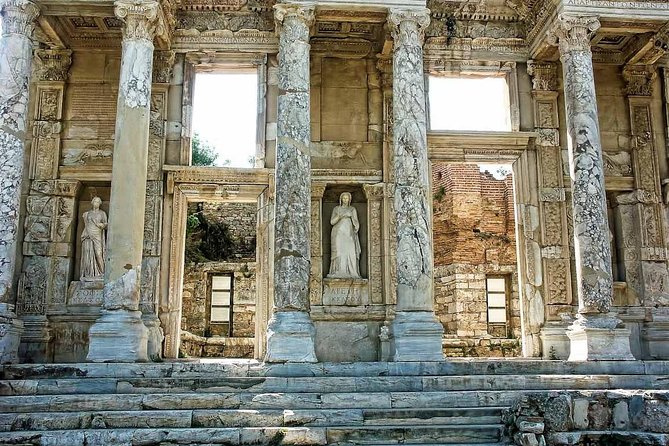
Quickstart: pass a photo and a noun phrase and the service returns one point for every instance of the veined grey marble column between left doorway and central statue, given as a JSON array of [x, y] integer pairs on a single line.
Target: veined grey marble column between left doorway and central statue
[[290, 331]]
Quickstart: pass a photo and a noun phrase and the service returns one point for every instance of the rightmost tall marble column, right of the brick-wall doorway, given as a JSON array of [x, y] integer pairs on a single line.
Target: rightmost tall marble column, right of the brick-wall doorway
[[597, 333]]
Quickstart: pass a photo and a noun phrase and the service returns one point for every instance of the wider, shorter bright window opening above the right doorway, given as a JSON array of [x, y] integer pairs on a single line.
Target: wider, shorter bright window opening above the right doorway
[[472, 103]]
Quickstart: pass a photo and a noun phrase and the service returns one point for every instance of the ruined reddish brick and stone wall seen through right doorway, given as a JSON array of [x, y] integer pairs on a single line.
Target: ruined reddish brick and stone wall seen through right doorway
[[474, 236]]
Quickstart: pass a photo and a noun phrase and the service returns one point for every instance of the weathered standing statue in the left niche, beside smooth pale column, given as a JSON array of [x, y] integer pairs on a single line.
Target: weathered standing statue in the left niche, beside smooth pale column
[[93, 242]]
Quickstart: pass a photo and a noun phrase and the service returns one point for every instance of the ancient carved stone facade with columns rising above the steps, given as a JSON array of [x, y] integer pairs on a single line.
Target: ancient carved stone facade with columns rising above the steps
[[342, 107]]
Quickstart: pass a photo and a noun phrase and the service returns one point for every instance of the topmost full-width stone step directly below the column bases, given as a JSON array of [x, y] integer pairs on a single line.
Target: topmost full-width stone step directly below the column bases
[[457, 367]]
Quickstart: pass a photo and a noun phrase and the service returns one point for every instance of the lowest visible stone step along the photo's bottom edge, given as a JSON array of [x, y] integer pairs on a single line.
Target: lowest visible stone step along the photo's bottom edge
[[377, 435]]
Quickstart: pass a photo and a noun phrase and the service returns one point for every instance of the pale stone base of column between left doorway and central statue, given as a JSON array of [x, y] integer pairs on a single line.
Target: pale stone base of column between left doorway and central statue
[[290, 338]]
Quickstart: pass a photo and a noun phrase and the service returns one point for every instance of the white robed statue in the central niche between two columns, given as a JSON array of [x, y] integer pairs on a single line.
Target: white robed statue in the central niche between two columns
[[345, 253]]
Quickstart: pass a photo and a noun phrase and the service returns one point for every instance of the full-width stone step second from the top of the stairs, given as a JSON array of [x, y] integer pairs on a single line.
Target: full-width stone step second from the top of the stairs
[[328, 384]]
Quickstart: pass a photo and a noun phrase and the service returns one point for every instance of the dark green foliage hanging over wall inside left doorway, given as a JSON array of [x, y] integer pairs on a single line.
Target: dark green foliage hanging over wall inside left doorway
[[207, 241]]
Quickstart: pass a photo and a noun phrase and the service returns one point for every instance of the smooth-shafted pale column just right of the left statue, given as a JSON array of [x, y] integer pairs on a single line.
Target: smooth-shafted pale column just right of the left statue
[[119, 334]]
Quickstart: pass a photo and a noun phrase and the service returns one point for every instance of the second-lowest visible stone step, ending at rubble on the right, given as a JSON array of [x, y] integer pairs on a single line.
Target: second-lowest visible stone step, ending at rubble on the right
[[229, 418]]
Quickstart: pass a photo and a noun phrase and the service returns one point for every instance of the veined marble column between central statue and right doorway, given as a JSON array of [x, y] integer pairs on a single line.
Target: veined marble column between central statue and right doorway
[[416, 332]]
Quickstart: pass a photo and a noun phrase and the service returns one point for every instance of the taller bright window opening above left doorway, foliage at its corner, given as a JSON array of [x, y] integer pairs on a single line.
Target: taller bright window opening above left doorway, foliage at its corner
[[225, 114]]
